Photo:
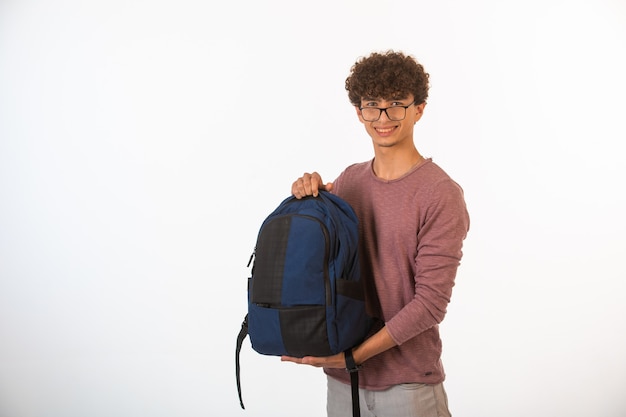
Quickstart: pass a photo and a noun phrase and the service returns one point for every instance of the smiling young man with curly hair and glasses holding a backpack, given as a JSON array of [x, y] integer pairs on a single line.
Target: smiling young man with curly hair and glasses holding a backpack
[[413, 221]]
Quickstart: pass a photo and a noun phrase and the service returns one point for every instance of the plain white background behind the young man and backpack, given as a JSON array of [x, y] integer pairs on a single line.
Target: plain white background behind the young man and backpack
[[143, 142]]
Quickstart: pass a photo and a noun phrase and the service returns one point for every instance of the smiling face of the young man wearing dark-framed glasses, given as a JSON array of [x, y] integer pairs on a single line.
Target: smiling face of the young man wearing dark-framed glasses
[[387, 131]]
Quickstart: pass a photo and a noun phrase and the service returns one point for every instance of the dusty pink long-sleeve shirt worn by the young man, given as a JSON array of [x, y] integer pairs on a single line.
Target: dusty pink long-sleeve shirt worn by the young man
[[411, 237]]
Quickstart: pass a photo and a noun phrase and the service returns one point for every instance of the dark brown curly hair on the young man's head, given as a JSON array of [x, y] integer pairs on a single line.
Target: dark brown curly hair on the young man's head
[[385, 76]]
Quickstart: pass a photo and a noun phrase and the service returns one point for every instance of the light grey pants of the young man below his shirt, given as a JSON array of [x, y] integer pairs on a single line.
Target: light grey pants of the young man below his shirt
[[404, 400]]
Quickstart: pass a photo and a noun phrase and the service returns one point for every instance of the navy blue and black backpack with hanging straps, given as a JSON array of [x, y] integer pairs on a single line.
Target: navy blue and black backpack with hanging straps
[[305, 295]]
